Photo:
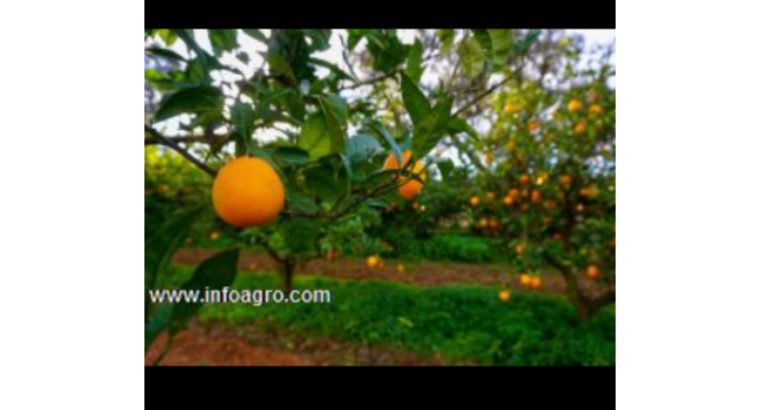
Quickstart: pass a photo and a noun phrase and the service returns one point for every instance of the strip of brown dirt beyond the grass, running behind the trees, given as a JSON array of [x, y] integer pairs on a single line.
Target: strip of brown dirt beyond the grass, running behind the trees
[[422, 273]]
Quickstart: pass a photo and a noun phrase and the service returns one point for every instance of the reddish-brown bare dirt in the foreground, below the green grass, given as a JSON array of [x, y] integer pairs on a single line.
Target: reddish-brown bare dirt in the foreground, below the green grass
[[218, 345]]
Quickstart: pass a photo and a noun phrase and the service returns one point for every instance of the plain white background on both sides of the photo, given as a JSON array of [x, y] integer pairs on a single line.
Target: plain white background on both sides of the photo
[[688, 311]]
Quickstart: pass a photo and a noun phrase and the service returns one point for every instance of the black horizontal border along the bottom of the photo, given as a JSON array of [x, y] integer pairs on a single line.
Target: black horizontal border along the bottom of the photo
[[290, 387]]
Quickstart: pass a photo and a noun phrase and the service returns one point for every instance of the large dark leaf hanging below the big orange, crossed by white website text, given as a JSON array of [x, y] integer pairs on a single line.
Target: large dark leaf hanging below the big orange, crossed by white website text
[[215, 272]]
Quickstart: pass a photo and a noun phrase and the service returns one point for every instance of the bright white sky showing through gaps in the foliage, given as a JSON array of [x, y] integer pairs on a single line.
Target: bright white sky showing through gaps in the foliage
[[593, 39]]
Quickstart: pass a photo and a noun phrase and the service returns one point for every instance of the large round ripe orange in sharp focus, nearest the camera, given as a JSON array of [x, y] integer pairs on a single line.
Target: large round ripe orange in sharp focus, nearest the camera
[[247, 192]]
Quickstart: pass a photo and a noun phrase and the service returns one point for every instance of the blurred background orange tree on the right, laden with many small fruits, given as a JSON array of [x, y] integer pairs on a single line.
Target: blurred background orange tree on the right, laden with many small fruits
[[549, 158]]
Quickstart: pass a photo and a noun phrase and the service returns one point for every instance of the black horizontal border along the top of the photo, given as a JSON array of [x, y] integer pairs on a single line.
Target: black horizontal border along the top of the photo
[[385, 14]]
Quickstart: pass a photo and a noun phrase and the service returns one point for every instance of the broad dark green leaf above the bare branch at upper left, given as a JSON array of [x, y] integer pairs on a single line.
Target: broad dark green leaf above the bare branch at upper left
[[190, 100]]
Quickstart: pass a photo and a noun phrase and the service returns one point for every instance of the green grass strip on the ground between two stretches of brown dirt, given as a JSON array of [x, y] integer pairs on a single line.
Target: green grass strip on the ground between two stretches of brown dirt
[[463, 323]]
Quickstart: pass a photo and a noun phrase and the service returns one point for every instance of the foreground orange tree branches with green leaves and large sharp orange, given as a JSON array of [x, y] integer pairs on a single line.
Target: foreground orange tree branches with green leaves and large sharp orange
[[286, 195]]
